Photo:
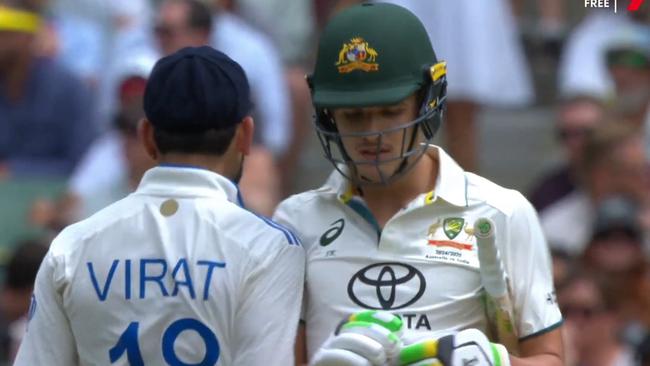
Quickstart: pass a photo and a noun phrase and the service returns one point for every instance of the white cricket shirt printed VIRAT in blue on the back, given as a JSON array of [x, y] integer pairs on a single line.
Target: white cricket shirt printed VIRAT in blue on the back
[[176, 273]]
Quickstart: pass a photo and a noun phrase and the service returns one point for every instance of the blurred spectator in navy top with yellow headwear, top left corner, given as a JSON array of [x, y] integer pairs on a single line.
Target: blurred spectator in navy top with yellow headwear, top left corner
[[43, 131]]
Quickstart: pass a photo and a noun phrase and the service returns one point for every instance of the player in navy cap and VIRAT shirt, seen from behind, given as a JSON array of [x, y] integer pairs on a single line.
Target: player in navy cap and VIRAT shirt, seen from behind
[[177, 273]]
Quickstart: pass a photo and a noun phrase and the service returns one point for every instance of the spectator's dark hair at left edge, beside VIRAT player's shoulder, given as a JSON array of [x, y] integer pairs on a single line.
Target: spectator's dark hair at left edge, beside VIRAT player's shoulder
[[24, 264]]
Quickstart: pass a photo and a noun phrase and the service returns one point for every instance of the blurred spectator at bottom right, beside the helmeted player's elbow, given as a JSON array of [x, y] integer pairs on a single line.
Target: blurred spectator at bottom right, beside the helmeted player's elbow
[[591, 325]]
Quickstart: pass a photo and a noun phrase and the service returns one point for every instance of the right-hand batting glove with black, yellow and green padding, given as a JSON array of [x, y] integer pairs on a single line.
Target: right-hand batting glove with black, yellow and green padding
[[467, 347]]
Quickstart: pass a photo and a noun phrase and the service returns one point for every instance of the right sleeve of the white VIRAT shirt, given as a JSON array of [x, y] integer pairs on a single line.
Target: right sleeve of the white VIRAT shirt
[[267, 319]]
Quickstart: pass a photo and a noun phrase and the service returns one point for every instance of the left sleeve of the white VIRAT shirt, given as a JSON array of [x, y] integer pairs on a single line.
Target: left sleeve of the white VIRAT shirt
[[49, 339]]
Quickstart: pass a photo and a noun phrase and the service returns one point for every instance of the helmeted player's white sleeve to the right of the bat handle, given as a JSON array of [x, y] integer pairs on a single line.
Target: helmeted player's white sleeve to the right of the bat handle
[[528, 263]]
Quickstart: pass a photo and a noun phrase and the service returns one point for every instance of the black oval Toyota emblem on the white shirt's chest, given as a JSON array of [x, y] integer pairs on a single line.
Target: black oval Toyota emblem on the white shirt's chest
[[386, 286]]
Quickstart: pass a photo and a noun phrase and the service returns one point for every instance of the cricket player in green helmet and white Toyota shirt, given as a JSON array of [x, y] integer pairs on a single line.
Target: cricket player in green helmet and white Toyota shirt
[[393, 227]]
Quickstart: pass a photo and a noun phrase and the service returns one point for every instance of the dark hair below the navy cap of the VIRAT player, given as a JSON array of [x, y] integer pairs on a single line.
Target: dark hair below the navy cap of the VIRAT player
[[211, 142]]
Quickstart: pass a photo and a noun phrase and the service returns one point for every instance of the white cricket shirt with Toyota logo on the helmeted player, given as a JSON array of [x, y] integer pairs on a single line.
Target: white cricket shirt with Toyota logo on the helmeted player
[[423, 265]]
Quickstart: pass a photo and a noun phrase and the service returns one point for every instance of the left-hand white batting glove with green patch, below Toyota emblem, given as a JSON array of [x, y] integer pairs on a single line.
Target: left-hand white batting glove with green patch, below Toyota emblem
[[368, 338]]
